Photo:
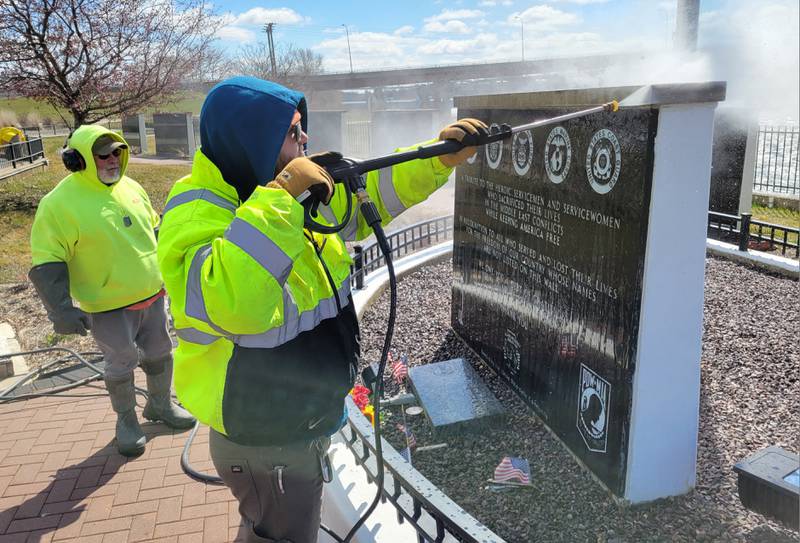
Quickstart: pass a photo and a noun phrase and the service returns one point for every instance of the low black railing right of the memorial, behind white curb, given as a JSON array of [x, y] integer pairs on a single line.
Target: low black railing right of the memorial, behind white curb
[[747, 233]]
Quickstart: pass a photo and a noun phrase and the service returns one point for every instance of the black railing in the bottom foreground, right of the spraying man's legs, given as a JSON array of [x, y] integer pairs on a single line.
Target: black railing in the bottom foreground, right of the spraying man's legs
[[417, 501]]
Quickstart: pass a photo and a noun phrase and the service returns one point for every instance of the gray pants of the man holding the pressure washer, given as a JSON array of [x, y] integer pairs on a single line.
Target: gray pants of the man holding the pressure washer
[[279, 488]]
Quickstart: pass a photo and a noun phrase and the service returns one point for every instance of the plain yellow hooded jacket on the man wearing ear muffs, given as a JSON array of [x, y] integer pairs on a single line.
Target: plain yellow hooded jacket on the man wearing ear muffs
[[104, 233]]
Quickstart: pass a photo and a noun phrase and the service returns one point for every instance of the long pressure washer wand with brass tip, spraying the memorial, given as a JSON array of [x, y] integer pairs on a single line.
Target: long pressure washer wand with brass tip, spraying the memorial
[[352, 168]]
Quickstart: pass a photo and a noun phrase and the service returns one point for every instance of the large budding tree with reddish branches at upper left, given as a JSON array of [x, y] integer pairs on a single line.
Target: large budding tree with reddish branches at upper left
[[97, 58]]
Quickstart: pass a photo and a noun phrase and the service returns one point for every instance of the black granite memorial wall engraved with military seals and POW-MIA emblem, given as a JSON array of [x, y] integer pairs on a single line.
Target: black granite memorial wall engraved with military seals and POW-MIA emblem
[[549, 250]]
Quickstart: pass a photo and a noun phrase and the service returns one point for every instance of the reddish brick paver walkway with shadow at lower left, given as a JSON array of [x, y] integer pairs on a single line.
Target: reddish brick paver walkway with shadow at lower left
[[61, 478]]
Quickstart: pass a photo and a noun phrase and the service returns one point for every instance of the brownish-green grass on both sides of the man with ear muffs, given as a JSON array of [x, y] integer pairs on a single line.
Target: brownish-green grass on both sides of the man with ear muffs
[[20, 195]]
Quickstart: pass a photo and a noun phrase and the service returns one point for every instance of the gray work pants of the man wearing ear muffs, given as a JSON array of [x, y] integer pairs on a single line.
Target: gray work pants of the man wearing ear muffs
[[122, 333]]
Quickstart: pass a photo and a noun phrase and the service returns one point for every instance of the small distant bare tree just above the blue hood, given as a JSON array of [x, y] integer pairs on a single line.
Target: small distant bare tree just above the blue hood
[[292, 63]]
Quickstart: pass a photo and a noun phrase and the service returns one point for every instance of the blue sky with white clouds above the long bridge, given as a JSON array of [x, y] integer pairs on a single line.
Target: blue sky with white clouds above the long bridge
[[415, 33]]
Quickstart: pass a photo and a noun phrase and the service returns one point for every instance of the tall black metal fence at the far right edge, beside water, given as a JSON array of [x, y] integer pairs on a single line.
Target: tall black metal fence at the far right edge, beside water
[[776, 169]]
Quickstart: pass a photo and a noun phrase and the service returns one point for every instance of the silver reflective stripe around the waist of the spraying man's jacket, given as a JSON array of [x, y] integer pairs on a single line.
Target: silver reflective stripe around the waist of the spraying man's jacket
[[293, 323]]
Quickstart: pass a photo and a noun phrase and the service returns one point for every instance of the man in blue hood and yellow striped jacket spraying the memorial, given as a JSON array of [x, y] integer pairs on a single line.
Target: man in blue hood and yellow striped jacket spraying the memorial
[[268, 338]]
